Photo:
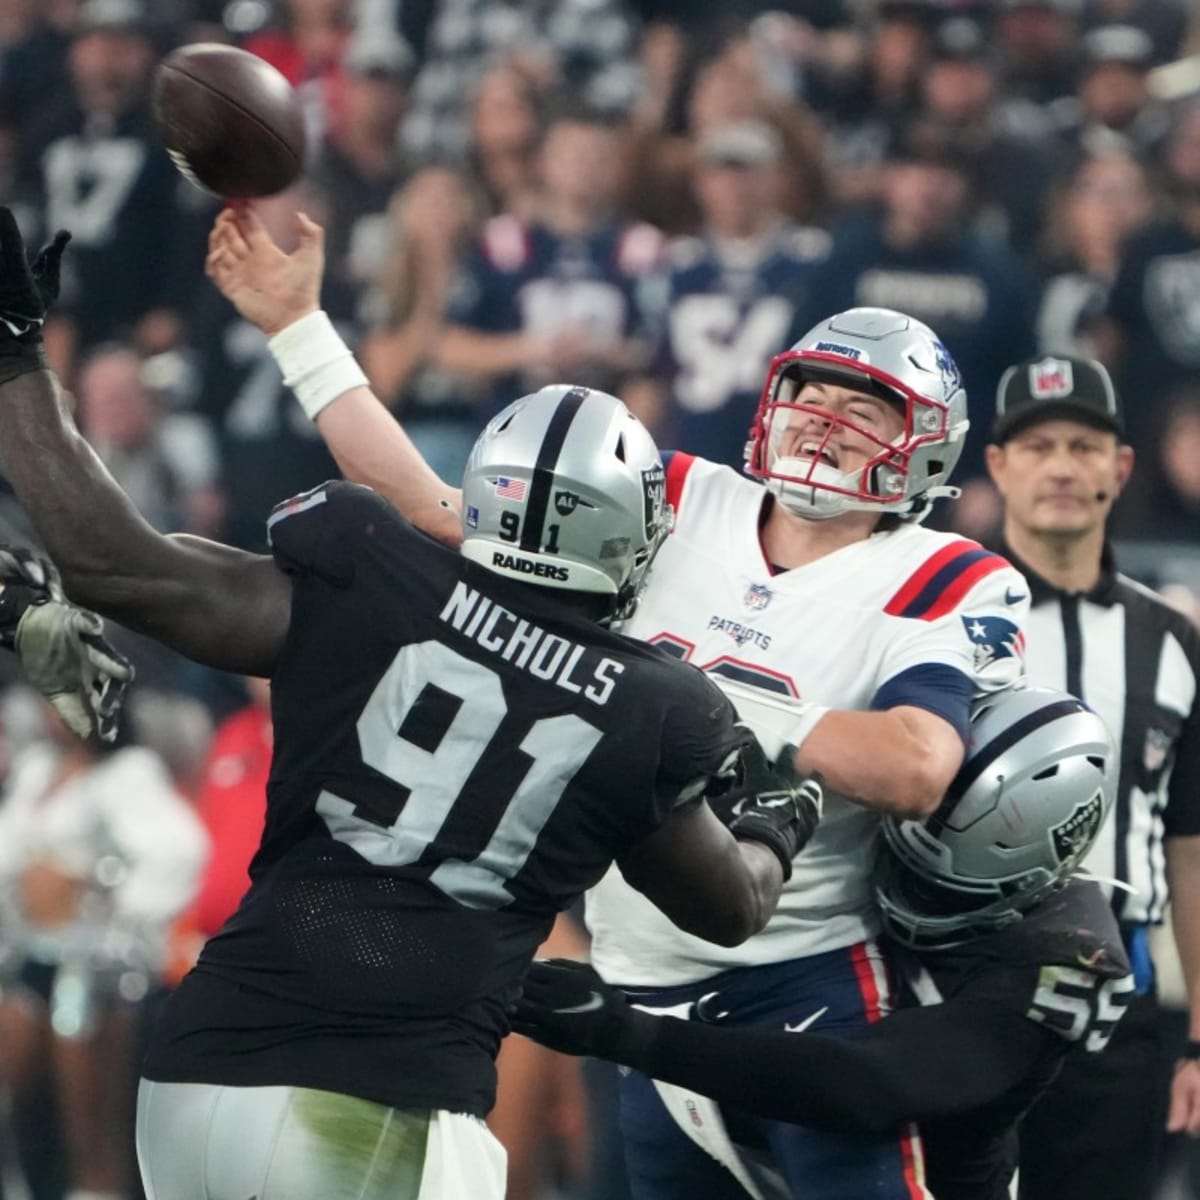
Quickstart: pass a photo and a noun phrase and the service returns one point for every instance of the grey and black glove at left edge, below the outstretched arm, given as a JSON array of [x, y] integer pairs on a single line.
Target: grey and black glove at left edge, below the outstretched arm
[[62, 649]]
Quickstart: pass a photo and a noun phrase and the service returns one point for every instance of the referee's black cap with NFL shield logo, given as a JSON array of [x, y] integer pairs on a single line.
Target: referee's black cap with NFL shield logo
[[1054, 388]]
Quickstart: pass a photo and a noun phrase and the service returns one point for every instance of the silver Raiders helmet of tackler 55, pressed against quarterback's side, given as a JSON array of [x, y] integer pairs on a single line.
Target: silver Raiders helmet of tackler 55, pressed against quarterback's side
[[1037, 783]]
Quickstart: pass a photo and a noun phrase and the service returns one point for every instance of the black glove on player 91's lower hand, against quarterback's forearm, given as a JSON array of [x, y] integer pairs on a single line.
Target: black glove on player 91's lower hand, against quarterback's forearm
[[771, 805]]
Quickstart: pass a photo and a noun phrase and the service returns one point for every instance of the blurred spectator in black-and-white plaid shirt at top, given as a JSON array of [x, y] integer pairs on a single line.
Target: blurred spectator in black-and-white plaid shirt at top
[[585, 47]]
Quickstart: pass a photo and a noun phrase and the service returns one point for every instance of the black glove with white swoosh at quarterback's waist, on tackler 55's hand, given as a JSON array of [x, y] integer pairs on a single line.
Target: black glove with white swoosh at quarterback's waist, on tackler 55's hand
[[568, 1007]]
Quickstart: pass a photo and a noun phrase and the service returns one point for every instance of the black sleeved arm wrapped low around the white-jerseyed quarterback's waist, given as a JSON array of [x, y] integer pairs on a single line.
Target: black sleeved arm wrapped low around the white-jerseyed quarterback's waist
[[917, 1065]]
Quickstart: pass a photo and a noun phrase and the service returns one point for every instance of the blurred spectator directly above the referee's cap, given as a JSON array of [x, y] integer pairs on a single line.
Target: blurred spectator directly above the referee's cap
[[1093, 213]]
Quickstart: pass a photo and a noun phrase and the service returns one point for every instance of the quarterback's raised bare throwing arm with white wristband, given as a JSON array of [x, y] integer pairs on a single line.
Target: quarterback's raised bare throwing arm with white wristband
[[281, 295]]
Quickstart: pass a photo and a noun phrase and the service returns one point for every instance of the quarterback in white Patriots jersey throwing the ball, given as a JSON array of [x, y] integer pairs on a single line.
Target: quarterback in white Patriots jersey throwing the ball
[[849, 632]]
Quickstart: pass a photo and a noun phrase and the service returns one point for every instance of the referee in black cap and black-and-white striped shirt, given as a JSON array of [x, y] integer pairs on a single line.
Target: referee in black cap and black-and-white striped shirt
[[1060, 464]]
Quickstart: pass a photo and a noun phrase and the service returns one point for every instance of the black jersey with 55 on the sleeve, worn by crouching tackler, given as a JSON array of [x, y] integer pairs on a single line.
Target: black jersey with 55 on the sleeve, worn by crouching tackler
[[1063, 968]]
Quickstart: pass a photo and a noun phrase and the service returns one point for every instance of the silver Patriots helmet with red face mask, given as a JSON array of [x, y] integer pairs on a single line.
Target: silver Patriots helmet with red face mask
[[890, 356]]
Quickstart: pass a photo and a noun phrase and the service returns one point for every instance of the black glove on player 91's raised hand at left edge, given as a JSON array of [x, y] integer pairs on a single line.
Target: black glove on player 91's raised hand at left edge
[[27, 293]]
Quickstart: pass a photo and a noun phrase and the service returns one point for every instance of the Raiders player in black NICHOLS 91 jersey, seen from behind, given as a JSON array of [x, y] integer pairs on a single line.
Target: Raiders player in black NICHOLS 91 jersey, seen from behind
[[461, 749]]
